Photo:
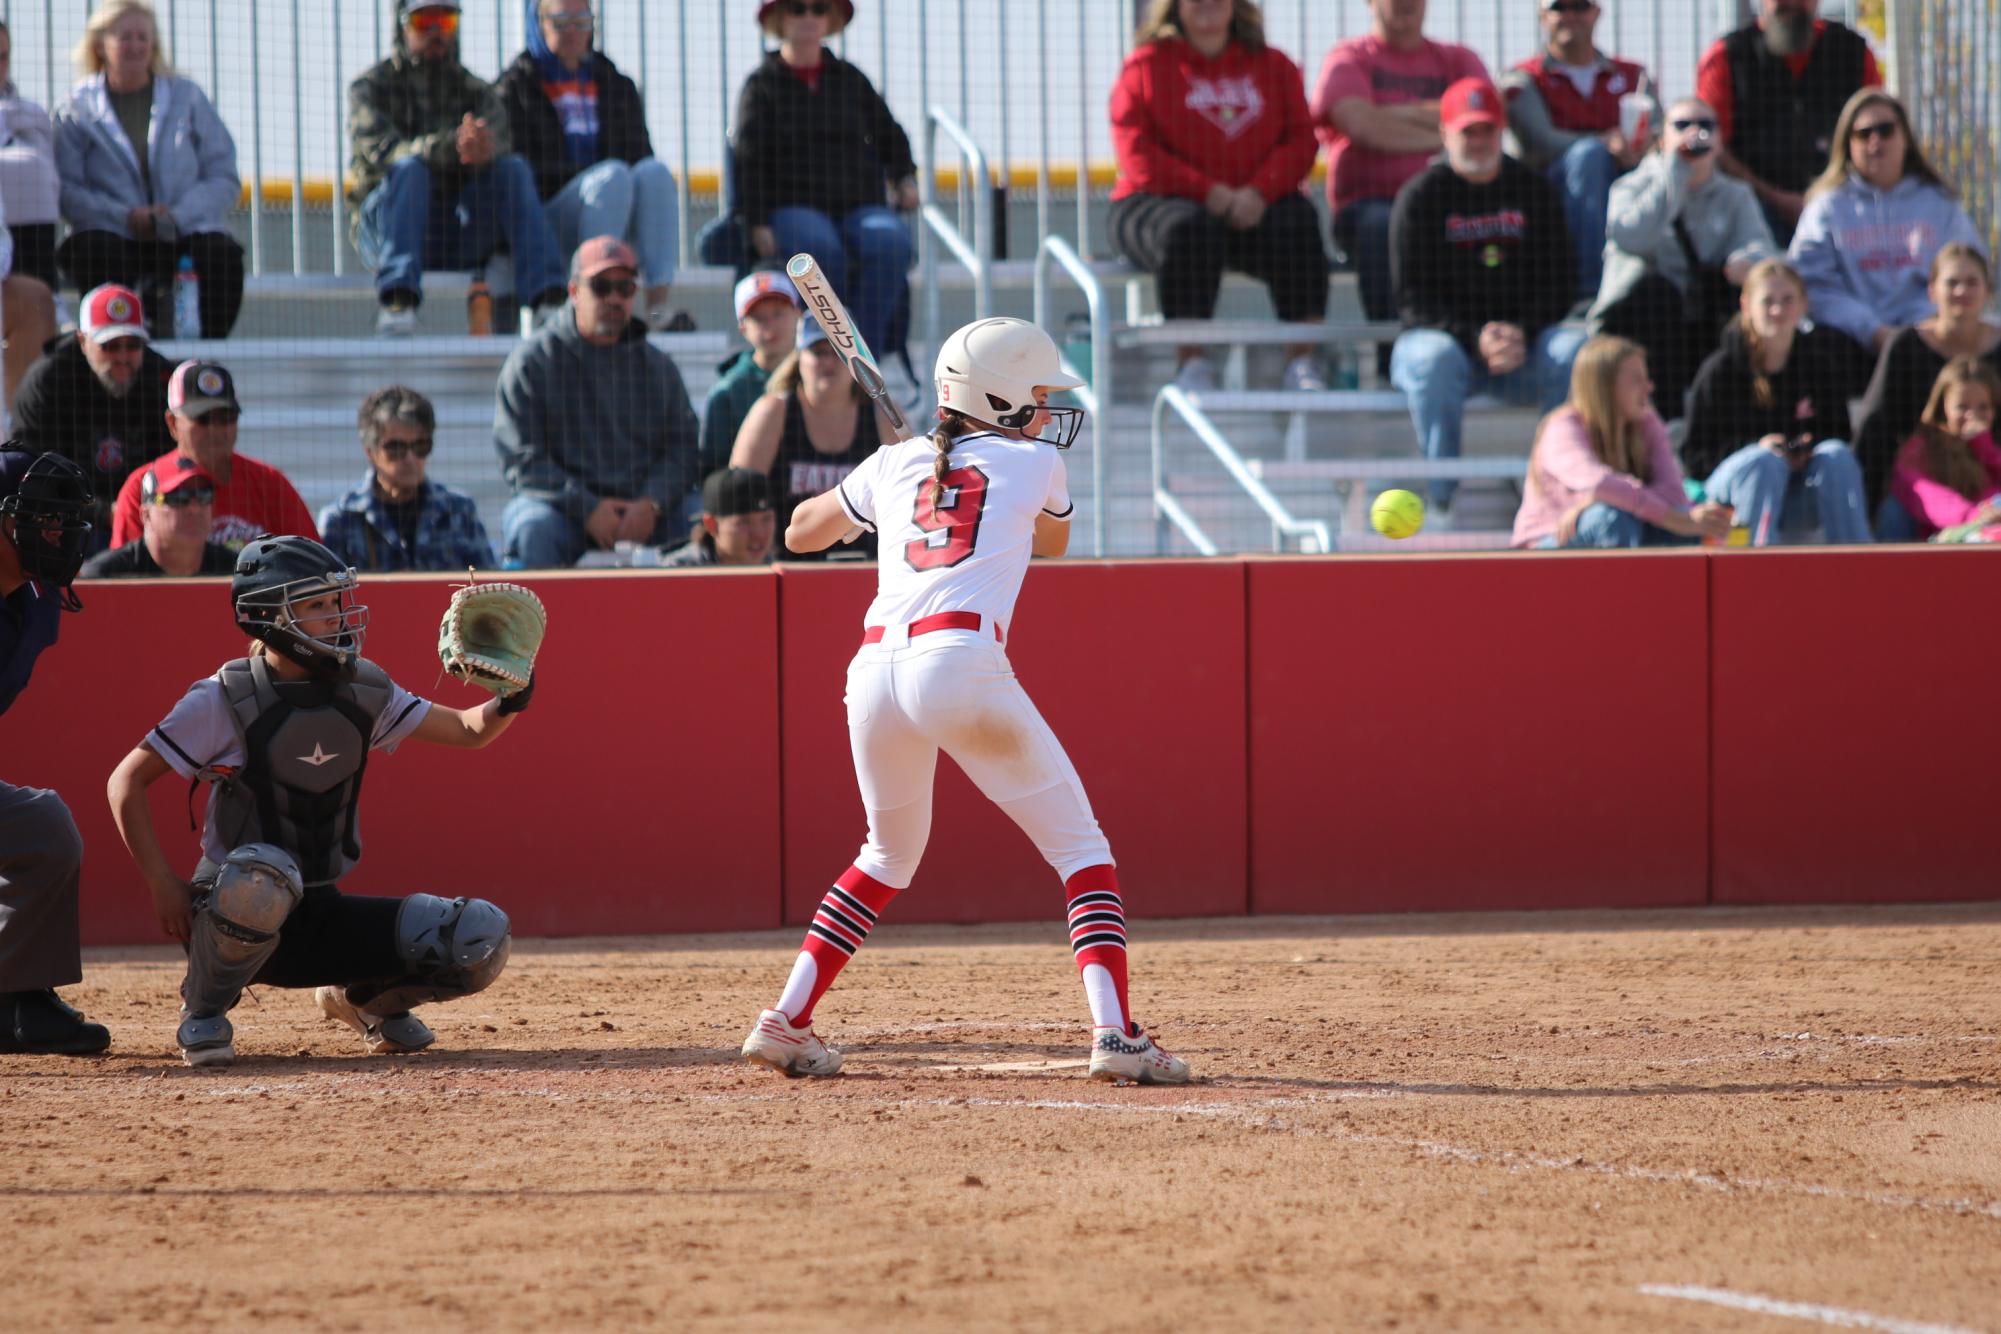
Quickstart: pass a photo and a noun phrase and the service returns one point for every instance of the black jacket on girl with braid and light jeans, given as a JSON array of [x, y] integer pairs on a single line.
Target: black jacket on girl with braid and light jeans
[[1806, 399]]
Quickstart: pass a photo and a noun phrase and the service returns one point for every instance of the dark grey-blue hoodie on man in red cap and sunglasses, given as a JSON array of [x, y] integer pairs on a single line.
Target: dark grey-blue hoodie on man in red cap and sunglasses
[[577, 423]]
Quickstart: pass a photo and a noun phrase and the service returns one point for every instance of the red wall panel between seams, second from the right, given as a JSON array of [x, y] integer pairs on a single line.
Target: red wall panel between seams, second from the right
[[1448, 733]]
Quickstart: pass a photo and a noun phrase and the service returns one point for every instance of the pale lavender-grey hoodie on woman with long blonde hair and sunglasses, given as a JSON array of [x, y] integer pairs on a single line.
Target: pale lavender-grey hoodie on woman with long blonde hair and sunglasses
[[1868, 253]]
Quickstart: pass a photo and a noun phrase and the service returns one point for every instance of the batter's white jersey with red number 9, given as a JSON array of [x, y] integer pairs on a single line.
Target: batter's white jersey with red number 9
[[961, 551]]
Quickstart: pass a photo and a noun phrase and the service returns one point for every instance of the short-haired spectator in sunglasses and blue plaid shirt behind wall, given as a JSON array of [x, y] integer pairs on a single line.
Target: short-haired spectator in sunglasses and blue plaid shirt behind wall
[[399, 519]]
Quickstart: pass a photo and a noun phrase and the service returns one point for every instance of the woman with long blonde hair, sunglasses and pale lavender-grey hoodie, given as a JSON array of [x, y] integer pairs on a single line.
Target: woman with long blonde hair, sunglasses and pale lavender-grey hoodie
[[1874, 223]]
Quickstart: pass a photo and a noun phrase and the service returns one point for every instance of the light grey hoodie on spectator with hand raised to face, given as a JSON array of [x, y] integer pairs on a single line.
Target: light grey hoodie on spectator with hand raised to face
[[1724, 225]]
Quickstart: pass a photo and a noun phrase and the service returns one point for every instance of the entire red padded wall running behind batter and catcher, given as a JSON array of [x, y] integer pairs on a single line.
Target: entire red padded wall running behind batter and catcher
[[1272, 735]]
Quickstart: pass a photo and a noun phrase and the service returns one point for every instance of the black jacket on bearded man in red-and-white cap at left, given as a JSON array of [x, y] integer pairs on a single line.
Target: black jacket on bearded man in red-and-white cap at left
[[61, 407]]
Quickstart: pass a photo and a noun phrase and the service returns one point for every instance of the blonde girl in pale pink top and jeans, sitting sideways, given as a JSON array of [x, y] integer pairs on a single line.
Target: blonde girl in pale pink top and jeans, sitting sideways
[[1604, 473]]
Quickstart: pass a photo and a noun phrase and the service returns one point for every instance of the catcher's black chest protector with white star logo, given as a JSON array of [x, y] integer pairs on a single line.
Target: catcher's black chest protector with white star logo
[[305, 753]]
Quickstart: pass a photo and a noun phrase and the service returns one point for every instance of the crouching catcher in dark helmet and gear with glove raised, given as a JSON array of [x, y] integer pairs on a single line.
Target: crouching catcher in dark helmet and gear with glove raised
[[283, 737]]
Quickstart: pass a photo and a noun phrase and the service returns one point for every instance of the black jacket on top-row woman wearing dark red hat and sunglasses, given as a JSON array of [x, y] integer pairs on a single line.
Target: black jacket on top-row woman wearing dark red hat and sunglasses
[[833, 149]]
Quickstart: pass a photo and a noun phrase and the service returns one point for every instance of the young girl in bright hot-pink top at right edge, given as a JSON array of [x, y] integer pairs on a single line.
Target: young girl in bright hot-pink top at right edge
[[1950, 473]]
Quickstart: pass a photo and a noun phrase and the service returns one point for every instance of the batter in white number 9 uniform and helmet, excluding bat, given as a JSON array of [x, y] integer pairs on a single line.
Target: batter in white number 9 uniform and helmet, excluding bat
[[957, 517]]
